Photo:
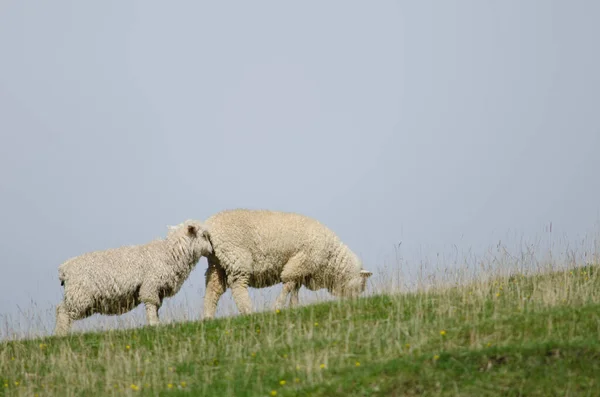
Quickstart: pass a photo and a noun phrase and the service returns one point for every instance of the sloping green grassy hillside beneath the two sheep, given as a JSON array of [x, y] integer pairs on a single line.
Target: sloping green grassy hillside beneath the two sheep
[[537, 335]]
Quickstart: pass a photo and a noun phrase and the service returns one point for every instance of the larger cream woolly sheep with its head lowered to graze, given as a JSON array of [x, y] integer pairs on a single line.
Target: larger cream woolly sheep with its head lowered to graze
[[261, 248]]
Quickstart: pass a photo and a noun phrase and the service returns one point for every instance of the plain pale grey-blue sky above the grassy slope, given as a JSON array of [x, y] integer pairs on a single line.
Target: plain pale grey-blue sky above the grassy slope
[[431, 123]]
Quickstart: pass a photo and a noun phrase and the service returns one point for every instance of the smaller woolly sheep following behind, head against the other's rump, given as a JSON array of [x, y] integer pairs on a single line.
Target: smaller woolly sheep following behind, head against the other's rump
[[115, 281]]
